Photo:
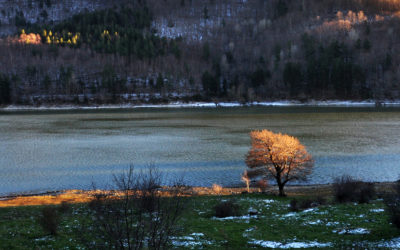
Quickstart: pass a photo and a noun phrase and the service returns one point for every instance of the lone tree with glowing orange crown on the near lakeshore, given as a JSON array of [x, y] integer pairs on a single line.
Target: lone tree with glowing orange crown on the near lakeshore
[[279, 156]]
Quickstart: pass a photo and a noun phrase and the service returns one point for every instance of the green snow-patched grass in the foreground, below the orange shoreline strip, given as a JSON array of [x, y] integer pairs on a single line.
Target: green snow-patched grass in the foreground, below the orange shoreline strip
[[19, 227]]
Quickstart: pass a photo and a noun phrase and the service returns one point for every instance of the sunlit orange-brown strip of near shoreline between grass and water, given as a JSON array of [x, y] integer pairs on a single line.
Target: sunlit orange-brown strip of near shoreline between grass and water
[[84, 196]]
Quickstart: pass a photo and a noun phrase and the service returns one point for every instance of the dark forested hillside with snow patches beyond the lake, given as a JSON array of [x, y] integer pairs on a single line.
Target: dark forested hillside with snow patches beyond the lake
[[91, 52]]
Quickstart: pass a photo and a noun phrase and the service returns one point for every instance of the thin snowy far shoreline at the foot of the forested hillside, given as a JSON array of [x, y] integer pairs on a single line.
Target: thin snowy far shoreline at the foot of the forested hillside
[[282, 103]]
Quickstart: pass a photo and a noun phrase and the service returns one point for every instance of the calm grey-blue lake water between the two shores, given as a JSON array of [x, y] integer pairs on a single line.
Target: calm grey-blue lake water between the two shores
[[53, 150]]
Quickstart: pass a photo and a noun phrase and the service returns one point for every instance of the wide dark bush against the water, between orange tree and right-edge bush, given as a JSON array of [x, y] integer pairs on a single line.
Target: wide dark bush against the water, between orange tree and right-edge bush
[[348, 189]]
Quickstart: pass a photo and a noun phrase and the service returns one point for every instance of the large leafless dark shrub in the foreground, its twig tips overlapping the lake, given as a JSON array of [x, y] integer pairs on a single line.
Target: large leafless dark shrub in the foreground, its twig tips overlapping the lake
[[139, 214]]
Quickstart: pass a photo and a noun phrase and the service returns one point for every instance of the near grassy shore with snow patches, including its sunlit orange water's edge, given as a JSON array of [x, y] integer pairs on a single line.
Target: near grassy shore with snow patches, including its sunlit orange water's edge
[[332, 225]]
